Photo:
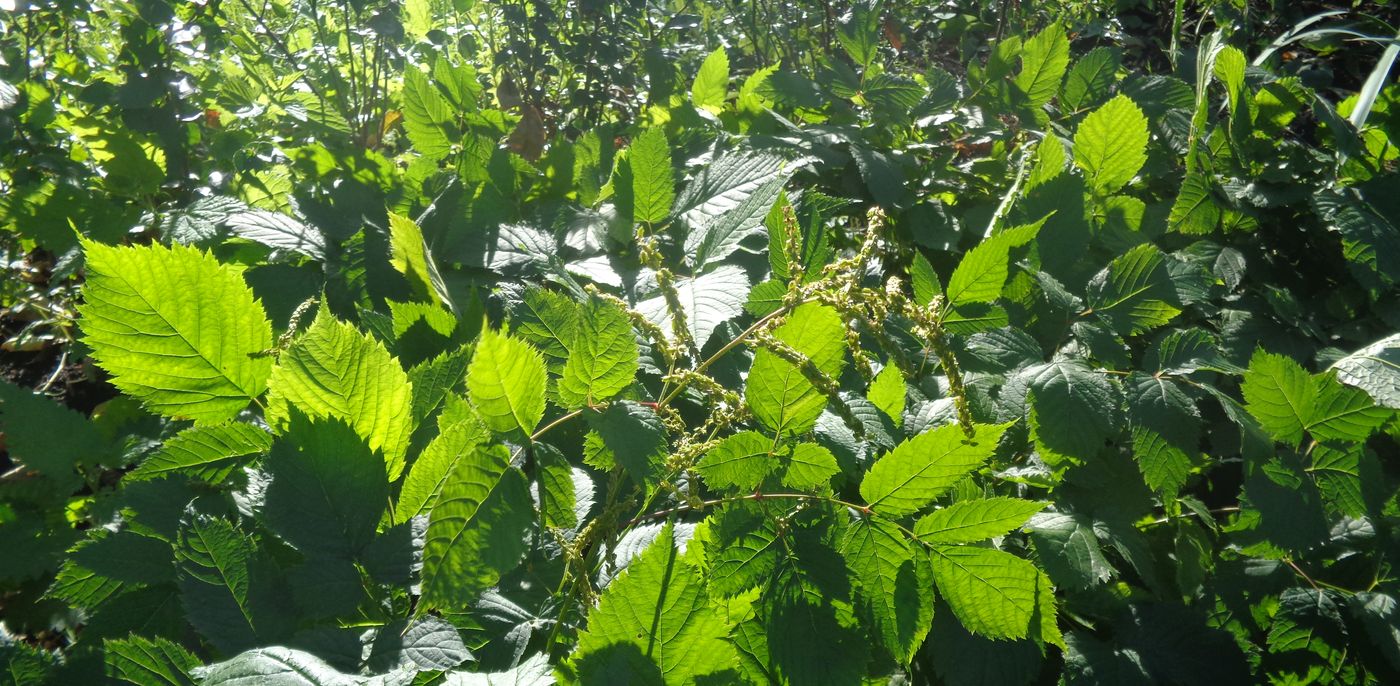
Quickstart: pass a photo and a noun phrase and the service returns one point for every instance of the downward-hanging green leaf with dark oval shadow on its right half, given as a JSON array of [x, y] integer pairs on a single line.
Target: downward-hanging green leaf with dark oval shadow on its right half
[[897, 590]]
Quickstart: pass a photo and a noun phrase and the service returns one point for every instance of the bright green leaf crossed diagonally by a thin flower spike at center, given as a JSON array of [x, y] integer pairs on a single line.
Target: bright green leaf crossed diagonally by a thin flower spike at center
[[780, 397]]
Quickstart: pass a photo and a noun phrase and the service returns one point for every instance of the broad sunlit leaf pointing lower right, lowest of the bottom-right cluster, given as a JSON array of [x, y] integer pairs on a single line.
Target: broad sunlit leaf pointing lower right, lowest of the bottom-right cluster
[[992, 593]]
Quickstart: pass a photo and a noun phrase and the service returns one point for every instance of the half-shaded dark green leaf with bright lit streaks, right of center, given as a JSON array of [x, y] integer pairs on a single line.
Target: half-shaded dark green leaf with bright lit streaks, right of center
[[1135, 292]]
